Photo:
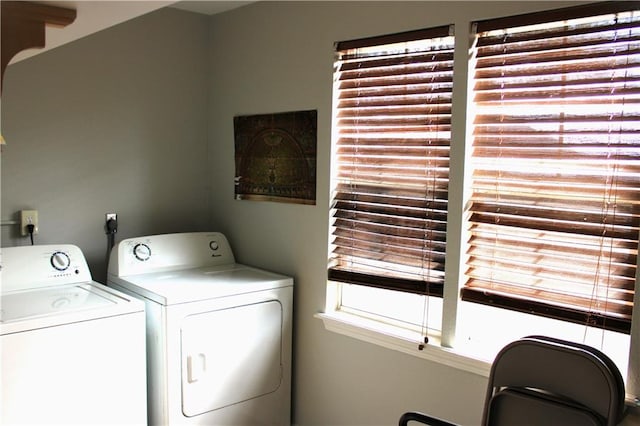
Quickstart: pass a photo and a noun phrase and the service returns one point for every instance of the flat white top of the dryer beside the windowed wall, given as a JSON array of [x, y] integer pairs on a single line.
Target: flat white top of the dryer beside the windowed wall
[[191, 285]]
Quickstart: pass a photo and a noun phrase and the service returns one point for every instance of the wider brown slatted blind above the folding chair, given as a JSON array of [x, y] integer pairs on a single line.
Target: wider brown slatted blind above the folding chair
[[555, 210]]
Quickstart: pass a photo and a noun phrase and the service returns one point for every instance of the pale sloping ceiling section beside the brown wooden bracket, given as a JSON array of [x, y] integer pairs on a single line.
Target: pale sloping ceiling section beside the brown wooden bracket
[[94, 16]]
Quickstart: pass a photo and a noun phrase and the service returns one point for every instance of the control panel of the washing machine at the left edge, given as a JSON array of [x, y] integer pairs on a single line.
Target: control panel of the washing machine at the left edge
[[28, 267]]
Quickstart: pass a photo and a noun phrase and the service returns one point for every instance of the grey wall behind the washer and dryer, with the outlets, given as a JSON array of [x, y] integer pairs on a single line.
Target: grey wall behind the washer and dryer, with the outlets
[[115, 122]]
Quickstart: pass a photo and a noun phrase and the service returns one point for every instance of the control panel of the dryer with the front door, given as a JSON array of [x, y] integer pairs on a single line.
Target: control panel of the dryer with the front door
[[166, 252]]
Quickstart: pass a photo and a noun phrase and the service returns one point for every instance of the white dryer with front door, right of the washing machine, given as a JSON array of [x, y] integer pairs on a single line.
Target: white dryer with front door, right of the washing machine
[[218, 333]]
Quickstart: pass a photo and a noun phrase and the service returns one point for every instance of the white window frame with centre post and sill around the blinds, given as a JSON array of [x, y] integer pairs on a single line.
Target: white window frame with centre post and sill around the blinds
[[444, 348]]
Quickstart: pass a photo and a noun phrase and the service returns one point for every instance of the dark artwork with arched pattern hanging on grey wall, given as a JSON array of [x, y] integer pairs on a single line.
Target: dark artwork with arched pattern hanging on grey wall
[[275, 157]]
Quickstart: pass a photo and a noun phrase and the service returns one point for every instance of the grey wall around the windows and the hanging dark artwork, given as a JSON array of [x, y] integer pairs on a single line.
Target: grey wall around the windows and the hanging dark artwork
[[272, 57]]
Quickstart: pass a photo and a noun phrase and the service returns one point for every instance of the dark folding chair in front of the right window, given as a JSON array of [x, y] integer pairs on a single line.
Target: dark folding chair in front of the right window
[[538, 369]]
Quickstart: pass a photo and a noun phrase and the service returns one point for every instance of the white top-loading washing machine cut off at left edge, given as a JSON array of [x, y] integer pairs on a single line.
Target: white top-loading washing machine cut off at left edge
[[73, 350]]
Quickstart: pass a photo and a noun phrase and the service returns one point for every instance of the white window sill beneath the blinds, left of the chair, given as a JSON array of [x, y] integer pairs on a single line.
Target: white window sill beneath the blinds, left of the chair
[[403, 341]]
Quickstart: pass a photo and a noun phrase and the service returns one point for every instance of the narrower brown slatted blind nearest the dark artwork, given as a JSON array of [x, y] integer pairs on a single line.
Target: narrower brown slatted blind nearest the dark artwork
[[393, 129]]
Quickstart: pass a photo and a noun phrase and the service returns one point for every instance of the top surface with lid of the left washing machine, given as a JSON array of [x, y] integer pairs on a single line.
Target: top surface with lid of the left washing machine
[[57, 305]]
